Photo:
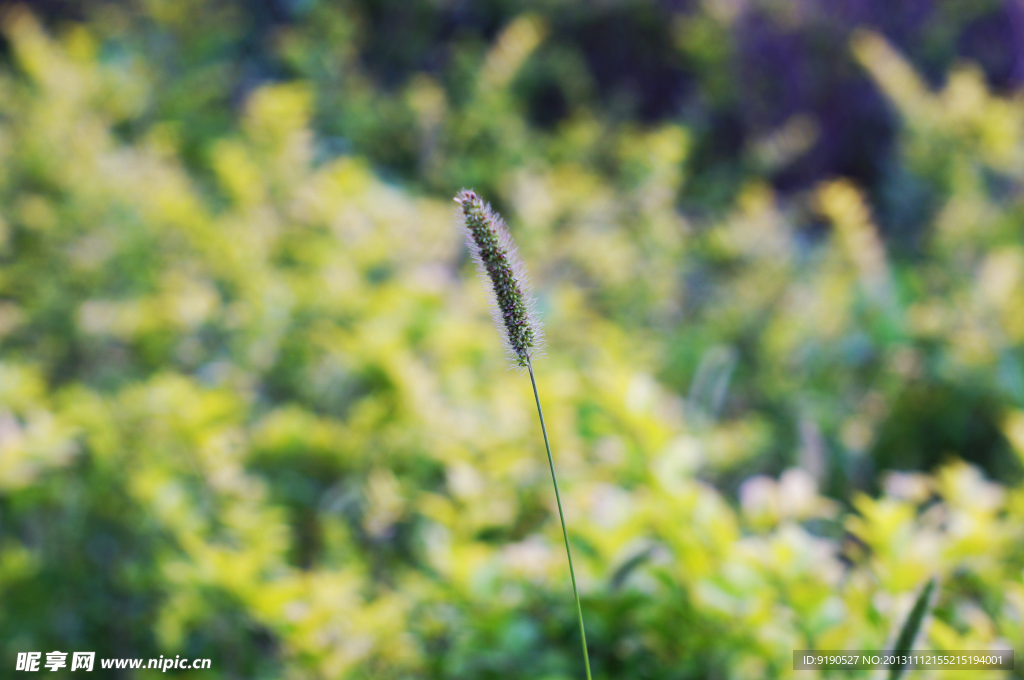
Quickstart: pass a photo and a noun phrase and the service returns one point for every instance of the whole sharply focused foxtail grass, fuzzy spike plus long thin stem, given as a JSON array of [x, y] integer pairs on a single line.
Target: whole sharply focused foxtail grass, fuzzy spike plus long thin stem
[[496, 257]]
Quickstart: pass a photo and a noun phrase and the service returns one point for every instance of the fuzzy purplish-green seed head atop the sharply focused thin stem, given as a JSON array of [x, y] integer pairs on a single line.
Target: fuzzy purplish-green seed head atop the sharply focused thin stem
[[496, 257]]
